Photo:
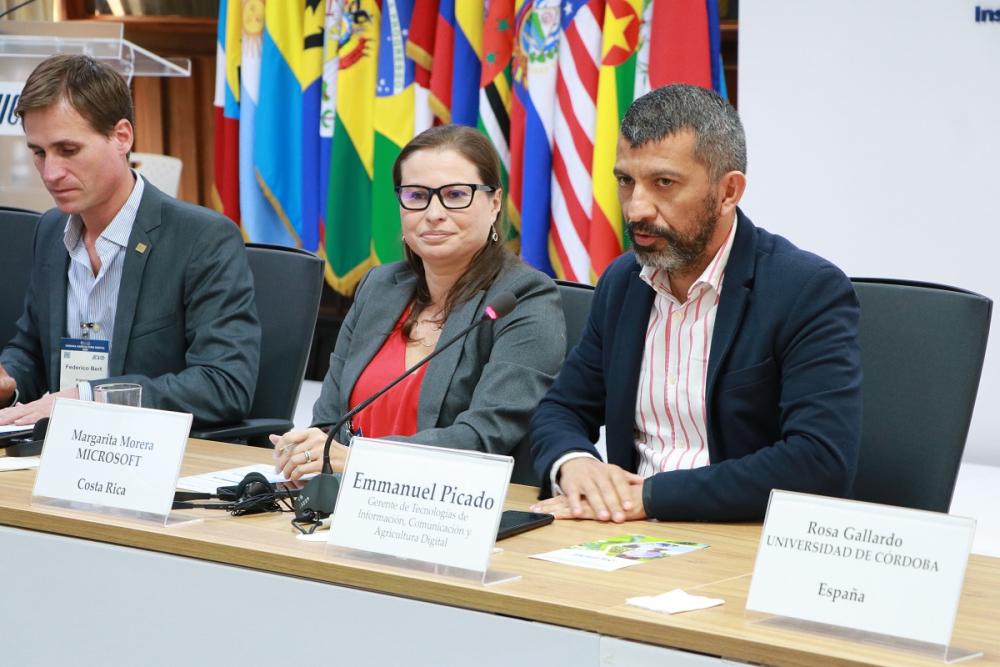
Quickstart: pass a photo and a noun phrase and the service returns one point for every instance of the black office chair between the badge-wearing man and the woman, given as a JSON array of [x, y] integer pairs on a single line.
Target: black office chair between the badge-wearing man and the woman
[[288, 283]]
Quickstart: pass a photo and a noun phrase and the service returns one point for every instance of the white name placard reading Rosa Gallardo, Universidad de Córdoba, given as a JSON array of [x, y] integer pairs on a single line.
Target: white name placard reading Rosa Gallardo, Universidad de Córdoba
[[876, 568]]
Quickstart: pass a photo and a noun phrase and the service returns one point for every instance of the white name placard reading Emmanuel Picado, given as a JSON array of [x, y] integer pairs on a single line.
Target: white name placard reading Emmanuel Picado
[[430, 504]]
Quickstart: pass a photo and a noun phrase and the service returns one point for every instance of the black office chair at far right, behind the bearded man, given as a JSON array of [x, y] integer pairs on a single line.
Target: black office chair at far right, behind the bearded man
[[922, 350]]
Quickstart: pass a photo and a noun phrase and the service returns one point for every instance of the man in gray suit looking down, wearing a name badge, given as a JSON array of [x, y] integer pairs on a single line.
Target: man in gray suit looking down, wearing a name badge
[[156, 291]]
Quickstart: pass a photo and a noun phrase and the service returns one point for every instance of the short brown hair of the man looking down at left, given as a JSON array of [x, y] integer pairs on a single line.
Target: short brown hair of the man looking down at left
[[97, 92]]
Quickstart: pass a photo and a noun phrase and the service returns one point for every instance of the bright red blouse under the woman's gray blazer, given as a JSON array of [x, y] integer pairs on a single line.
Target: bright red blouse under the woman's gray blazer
[[395, 412]]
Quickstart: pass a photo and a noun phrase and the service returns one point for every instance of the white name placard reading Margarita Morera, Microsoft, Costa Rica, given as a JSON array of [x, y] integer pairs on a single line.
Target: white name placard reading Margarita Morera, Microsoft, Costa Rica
[[98, 455]]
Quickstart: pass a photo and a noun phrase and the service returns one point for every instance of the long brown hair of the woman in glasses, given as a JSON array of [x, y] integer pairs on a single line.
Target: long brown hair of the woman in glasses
[[487, 264]]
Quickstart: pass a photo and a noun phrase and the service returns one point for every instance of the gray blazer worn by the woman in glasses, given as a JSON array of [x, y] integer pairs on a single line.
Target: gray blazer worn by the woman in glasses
[[476, 395]]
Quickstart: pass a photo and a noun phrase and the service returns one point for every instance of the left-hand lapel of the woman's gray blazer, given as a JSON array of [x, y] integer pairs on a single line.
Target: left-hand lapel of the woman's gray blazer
[[381, 315]]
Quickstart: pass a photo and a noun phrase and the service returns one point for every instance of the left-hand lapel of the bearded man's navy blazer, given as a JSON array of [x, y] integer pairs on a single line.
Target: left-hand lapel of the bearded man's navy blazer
[[623, 378]]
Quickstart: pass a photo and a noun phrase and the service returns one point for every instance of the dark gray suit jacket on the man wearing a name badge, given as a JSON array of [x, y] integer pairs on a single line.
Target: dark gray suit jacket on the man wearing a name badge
[[186, 326]]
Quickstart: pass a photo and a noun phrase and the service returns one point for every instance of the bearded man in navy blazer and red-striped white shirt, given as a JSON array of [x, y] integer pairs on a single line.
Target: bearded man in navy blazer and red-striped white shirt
[[722, 360]]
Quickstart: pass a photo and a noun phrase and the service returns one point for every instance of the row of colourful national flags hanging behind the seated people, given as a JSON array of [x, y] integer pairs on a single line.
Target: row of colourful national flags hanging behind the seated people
[[315, 99]]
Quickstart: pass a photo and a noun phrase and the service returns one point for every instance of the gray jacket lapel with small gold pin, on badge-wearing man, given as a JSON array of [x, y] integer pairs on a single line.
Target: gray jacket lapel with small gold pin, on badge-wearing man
[[140, 246]]
